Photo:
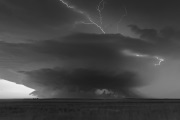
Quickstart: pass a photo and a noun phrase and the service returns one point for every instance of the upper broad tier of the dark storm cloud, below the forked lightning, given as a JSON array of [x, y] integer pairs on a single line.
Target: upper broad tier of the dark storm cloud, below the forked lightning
[[95, 50]]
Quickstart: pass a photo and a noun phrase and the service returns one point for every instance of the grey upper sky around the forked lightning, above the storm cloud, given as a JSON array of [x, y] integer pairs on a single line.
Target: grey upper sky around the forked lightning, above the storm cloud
[[44, 19]]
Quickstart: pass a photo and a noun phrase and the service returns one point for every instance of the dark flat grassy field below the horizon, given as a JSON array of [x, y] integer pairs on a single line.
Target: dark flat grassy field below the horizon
[[75, 109]]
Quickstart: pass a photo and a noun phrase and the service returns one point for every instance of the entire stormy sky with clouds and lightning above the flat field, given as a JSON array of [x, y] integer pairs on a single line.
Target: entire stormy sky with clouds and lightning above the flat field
[[89, 49]]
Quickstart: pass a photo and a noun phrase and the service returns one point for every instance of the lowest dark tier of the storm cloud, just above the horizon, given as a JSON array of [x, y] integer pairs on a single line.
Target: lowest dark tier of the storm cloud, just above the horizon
[[80, 80]]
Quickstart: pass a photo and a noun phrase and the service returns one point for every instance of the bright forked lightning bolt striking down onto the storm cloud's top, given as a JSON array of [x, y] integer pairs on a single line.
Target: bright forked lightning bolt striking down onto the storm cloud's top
[[91, 21]]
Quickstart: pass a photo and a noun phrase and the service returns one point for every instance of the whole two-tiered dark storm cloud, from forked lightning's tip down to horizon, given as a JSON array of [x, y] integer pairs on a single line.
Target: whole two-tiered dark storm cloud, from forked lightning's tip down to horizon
[[91, 61]]
